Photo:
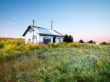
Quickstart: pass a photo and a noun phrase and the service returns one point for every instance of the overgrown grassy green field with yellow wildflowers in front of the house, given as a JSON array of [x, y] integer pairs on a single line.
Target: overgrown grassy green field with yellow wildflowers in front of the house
[[63, 62]]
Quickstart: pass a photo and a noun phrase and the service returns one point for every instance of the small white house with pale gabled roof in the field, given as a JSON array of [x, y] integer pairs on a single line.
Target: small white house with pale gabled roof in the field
[[41, 35]]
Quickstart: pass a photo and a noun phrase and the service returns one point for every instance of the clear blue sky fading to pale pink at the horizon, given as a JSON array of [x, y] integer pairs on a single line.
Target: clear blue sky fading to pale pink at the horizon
[[83, 19]]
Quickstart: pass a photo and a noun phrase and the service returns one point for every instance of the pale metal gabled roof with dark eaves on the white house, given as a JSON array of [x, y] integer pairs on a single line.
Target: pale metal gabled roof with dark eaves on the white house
[[43, 31]]
